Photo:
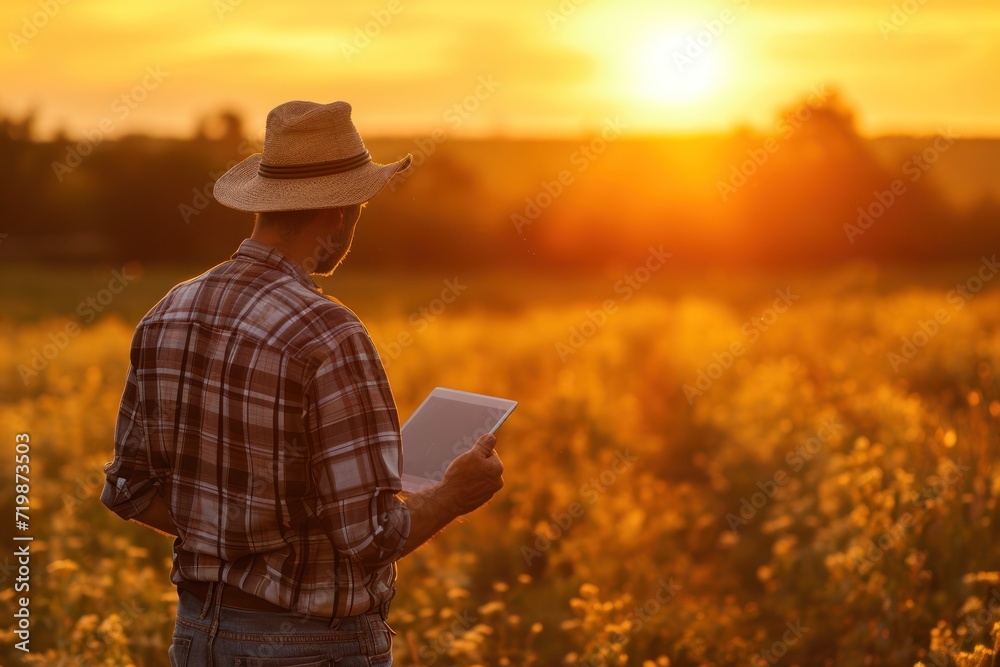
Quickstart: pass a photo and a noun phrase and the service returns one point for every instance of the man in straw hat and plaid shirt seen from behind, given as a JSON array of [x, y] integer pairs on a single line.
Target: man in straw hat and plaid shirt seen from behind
[[257, 425]]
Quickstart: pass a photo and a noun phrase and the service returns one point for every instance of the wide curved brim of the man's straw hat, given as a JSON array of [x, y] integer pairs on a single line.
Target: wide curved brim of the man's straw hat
[[243, 189]]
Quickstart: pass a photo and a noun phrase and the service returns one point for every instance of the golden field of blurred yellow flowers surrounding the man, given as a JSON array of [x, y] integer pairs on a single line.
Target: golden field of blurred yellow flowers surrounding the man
[[703, 470]]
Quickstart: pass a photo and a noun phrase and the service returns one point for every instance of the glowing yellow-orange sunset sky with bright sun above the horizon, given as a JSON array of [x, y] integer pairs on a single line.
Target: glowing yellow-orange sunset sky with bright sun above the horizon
[[517, 68]]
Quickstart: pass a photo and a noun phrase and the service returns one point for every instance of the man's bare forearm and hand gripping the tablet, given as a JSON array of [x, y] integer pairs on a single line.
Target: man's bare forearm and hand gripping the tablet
[[470, 480]]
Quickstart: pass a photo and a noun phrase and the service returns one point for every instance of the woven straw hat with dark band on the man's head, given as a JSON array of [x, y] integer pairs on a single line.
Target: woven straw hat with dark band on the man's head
[[313, 158]]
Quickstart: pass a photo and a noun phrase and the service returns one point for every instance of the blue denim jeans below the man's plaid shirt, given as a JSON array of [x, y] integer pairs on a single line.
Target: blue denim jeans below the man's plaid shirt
[[208, 634]]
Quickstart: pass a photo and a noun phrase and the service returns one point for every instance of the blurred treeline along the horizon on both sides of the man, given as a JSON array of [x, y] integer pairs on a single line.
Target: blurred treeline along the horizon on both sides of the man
[[811, 191]]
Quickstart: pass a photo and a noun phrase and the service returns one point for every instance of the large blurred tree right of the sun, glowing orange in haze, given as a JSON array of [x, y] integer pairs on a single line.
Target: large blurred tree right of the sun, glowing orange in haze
[[817, 194]]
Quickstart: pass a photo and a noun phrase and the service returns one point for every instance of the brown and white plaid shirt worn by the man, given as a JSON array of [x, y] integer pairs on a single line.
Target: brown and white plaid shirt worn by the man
[[259, 409]]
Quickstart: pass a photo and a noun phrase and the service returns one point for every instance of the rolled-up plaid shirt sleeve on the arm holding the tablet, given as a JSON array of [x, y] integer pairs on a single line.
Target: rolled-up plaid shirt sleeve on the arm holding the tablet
[[355, 454]]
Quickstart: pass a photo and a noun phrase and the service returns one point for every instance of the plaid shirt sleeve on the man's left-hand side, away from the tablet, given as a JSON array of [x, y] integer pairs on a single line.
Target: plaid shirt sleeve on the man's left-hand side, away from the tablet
[[130, 485]]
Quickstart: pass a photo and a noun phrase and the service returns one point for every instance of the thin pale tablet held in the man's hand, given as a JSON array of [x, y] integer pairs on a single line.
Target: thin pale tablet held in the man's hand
[[445, 425]]
